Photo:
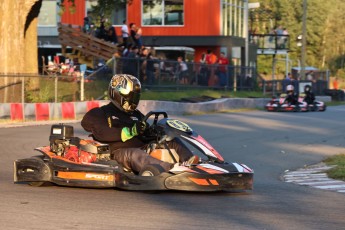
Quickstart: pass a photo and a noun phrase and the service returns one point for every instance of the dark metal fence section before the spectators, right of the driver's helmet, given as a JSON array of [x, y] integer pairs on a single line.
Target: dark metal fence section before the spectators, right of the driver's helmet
[[160, 74]]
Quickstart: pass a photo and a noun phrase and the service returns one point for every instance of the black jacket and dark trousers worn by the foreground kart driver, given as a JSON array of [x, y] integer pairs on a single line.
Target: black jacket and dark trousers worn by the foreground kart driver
[[106, 124]]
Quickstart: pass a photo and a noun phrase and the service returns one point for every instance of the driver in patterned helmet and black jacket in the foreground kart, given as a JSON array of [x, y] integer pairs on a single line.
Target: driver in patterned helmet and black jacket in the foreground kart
[[120, 125]]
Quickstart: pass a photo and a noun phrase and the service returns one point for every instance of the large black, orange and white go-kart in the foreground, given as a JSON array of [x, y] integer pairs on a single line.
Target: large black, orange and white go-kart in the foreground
[[71, 161]]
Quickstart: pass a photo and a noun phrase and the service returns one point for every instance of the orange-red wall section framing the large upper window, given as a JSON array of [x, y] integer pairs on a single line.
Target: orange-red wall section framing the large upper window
[[200, 18]]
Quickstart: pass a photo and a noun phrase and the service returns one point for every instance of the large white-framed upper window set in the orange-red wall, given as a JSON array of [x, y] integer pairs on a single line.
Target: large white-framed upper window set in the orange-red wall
[[162, 12]]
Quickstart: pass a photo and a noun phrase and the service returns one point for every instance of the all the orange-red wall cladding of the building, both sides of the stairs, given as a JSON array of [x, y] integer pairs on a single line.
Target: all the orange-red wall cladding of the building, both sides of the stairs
[[201, 18]]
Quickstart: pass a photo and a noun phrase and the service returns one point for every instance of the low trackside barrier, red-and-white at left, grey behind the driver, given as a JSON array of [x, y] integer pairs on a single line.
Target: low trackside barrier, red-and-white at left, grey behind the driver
[[76, 110]]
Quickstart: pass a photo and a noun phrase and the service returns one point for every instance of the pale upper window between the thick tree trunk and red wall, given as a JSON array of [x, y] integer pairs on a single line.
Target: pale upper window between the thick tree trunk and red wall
[[48, 13]]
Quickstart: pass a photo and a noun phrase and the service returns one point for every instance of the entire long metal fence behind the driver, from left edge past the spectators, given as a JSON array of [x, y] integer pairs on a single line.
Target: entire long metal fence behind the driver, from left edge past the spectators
[[83, 85]]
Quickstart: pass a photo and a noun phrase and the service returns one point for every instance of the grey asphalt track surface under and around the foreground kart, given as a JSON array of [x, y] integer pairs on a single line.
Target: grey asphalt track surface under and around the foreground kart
[[270, 143]]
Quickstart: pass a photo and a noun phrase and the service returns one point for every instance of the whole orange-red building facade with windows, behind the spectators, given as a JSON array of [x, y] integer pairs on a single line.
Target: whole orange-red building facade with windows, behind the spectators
[[218, 25]]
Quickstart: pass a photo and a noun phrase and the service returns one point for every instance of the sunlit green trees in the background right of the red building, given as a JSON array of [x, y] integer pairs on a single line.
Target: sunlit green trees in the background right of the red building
[[325, 33]]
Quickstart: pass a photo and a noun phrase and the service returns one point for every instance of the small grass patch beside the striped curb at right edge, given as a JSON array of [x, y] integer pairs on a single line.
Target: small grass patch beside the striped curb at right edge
[[338, 172]]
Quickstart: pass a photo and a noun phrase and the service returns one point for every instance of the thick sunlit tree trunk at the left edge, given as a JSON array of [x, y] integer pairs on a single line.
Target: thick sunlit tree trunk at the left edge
[[18, 36]]
